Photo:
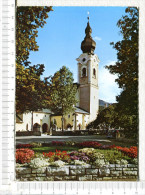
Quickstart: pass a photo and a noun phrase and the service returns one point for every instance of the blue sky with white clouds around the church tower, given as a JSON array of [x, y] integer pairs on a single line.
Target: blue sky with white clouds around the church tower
[[60, 40]]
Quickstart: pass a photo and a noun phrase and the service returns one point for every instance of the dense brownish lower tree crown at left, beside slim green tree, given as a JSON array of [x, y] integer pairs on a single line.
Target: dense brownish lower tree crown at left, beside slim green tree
[[31, 92]]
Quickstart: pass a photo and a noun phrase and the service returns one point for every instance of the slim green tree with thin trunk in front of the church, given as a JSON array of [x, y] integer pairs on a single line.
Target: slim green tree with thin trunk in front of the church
[[63, 92]]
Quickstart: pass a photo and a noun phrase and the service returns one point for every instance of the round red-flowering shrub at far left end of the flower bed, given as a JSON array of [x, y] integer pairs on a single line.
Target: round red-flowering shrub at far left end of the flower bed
[[24, 155]]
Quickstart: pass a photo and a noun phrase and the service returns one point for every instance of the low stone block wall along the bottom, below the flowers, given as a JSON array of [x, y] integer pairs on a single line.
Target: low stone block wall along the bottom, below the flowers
[[78, 173]]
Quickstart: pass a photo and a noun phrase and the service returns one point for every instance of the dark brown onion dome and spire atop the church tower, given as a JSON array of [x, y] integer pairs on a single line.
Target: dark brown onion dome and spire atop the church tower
[[88, 44]]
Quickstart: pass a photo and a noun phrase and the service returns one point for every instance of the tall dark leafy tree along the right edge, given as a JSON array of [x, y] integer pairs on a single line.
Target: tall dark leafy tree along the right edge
[[126, 68]]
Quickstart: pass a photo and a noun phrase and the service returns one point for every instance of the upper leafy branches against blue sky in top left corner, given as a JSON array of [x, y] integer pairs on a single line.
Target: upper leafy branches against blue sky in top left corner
[[28, 20]]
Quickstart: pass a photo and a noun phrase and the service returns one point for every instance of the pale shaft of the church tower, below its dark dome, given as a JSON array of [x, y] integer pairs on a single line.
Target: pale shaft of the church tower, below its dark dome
[[88, 80]]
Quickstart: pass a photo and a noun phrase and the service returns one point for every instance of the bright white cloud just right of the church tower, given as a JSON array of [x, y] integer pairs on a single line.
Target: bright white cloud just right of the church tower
[[108, 88]]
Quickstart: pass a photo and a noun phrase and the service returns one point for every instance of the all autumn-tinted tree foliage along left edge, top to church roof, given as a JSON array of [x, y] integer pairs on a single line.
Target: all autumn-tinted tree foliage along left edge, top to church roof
[[32, 93]]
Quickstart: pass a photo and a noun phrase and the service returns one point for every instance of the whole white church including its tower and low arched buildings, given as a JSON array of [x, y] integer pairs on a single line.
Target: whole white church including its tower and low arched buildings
[[86, 109]]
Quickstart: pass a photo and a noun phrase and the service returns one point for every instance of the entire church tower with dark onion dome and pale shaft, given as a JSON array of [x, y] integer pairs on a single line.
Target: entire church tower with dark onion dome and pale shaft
[[88, 75]]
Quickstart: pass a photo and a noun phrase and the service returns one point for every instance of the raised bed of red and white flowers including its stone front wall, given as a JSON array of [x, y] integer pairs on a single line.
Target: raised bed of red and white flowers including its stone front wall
[[86, 164]]
